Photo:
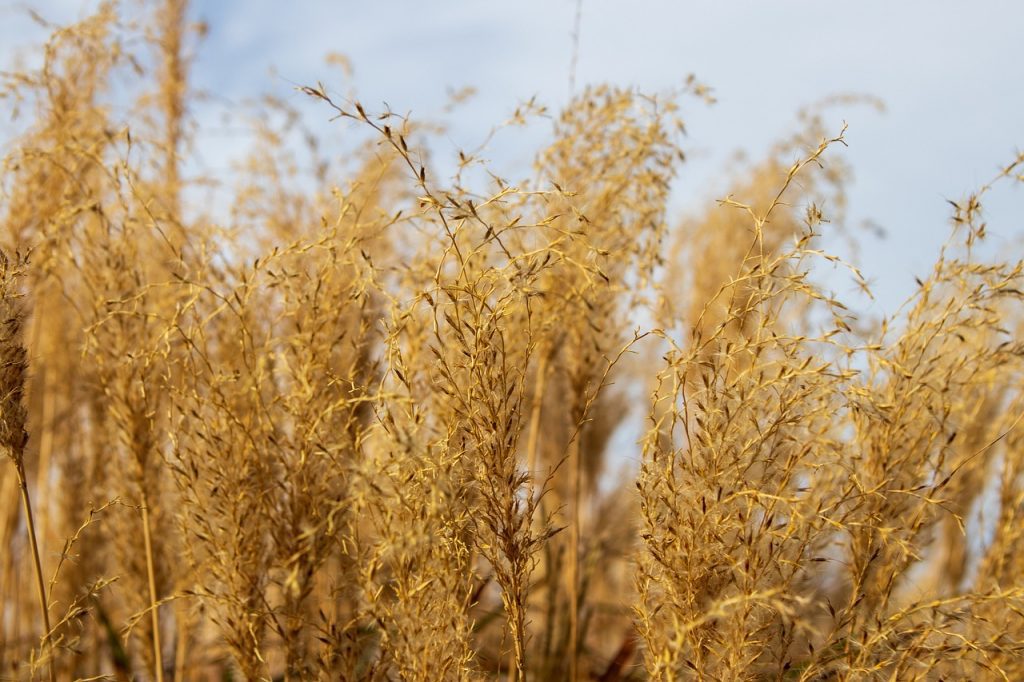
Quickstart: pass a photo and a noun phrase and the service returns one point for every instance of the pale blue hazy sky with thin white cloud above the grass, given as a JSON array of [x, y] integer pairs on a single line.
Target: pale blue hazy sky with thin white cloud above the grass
[[950, 73]]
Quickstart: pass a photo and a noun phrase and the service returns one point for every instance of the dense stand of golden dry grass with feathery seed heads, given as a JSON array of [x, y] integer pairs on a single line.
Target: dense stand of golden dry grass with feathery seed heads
[[366, 428]]
